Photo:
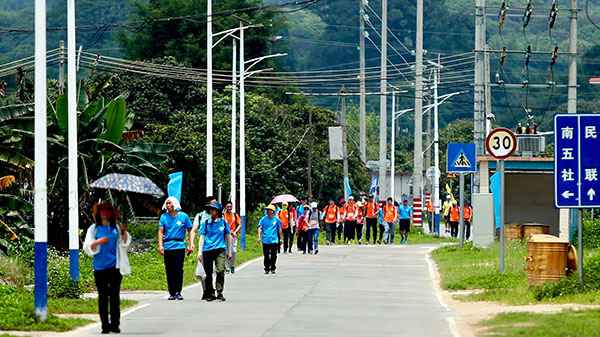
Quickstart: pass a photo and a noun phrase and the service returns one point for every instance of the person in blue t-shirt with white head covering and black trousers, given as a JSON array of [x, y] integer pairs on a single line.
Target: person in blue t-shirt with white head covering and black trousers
[[173, 226]]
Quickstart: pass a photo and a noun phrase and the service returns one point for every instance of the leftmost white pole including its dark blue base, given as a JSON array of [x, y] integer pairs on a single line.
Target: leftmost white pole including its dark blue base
[[40, 193]]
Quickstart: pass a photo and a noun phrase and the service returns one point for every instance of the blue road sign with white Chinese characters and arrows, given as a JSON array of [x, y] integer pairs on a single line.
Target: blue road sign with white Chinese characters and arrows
[[577, 161]]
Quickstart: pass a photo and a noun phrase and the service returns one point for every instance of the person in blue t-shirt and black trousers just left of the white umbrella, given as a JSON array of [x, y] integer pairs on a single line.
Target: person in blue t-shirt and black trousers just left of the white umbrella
[[270, 234]]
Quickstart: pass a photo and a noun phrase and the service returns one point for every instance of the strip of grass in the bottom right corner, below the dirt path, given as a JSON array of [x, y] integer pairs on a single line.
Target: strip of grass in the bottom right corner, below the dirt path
[[564, 324]]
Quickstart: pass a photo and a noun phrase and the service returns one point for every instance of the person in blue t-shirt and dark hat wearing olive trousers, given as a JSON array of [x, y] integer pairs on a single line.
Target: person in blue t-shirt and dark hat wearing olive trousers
[[215, 243]]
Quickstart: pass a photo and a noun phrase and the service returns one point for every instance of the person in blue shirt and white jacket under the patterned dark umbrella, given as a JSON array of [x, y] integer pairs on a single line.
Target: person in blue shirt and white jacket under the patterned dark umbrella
[[107, 243]]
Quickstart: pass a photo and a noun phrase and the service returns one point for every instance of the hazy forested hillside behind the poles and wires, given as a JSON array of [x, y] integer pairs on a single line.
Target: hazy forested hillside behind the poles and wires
[[325, 34]]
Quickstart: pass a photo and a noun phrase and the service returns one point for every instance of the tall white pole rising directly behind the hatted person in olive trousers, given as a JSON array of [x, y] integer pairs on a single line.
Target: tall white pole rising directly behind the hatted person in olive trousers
[[209, 100]]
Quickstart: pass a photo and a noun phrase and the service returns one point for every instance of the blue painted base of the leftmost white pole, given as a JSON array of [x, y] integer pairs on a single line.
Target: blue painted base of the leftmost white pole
[[41, 281]]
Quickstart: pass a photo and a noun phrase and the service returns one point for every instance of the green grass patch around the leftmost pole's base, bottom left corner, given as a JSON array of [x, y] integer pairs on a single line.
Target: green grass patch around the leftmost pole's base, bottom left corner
[[16, 313]]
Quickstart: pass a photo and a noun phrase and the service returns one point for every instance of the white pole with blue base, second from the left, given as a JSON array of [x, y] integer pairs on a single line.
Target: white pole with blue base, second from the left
[[72, 144]]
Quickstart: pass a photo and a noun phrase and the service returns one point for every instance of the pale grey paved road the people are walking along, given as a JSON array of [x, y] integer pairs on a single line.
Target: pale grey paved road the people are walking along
[[344, 291]]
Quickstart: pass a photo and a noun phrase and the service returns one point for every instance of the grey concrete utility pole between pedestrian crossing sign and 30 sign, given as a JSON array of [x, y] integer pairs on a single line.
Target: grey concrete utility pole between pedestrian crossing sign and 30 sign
[[479, 90]]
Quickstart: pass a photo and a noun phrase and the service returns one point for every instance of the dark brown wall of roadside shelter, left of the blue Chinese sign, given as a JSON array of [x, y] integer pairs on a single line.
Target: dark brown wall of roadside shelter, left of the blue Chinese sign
[[529, 197]]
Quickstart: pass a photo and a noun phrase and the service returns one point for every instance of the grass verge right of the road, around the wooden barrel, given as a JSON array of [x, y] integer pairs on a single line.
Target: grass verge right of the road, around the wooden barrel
[[472, 268]]
